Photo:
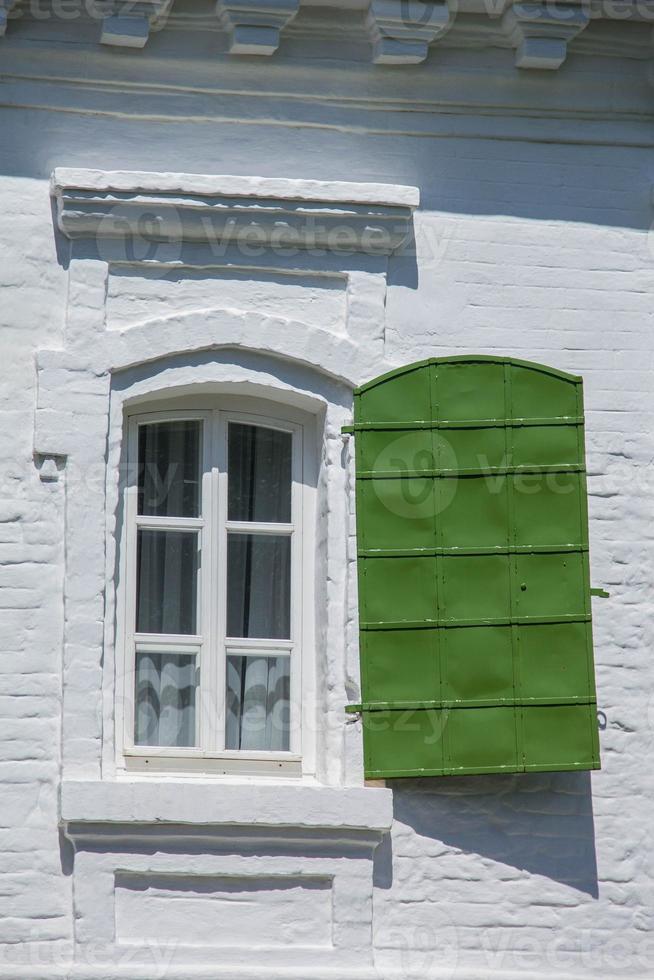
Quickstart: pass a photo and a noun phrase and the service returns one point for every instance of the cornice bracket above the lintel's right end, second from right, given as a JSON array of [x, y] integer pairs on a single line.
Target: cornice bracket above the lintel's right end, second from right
[[402, 30]]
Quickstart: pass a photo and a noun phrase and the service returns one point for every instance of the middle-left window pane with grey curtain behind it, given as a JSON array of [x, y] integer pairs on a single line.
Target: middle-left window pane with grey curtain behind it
[[167, 574]]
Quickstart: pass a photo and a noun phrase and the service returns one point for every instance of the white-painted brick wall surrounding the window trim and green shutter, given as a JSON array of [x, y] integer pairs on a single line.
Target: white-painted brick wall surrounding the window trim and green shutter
[[529, 247]]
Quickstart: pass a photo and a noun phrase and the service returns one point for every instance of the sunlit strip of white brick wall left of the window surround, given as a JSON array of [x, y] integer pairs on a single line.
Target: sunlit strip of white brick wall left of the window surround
[[34, 889]]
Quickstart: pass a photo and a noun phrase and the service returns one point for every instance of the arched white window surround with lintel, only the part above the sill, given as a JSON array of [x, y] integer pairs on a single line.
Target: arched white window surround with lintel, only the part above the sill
[[205, 350]]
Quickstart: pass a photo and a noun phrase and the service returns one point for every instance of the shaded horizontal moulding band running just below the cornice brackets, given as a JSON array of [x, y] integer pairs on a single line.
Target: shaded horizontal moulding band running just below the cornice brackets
[[452, 104]]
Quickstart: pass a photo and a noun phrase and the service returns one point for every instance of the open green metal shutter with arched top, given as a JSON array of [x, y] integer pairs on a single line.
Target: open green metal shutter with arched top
[[474, 592]]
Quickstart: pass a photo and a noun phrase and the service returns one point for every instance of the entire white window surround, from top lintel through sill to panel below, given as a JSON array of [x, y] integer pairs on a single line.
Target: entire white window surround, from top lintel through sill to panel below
[[323, 825]]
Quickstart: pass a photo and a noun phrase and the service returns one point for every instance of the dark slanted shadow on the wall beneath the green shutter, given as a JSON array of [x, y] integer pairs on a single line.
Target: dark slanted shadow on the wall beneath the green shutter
[[540, 823]]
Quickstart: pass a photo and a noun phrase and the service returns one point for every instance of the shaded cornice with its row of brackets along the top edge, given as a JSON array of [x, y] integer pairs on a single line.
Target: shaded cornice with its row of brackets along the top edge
[[398, 32]]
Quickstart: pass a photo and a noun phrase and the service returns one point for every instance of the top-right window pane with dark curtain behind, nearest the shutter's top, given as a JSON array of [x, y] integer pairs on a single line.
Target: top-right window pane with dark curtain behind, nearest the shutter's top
[[259, 474]]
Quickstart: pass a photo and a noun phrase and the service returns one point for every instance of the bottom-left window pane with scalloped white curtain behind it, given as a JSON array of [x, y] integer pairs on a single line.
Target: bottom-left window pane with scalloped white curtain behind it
[[165, 699]]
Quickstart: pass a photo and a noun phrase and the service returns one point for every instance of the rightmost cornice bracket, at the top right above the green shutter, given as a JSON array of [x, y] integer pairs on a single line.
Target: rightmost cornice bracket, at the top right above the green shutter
[[541, 32]]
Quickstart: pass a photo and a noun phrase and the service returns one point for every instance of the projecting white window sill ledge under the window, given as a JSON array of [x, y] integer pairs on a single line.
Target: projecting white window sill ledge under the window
[[205, 803]]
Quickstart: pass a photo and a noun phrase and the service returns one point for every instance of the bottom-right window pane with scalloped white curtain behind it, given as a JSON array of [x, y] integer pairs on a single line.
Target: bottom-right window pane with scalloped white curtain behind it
[[258, 703]]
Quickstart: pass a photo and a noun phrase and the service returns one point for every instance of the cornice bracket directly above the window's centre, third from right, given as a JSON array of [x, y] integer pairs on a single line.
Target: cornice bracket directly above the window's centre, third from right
[[255, 26]]
